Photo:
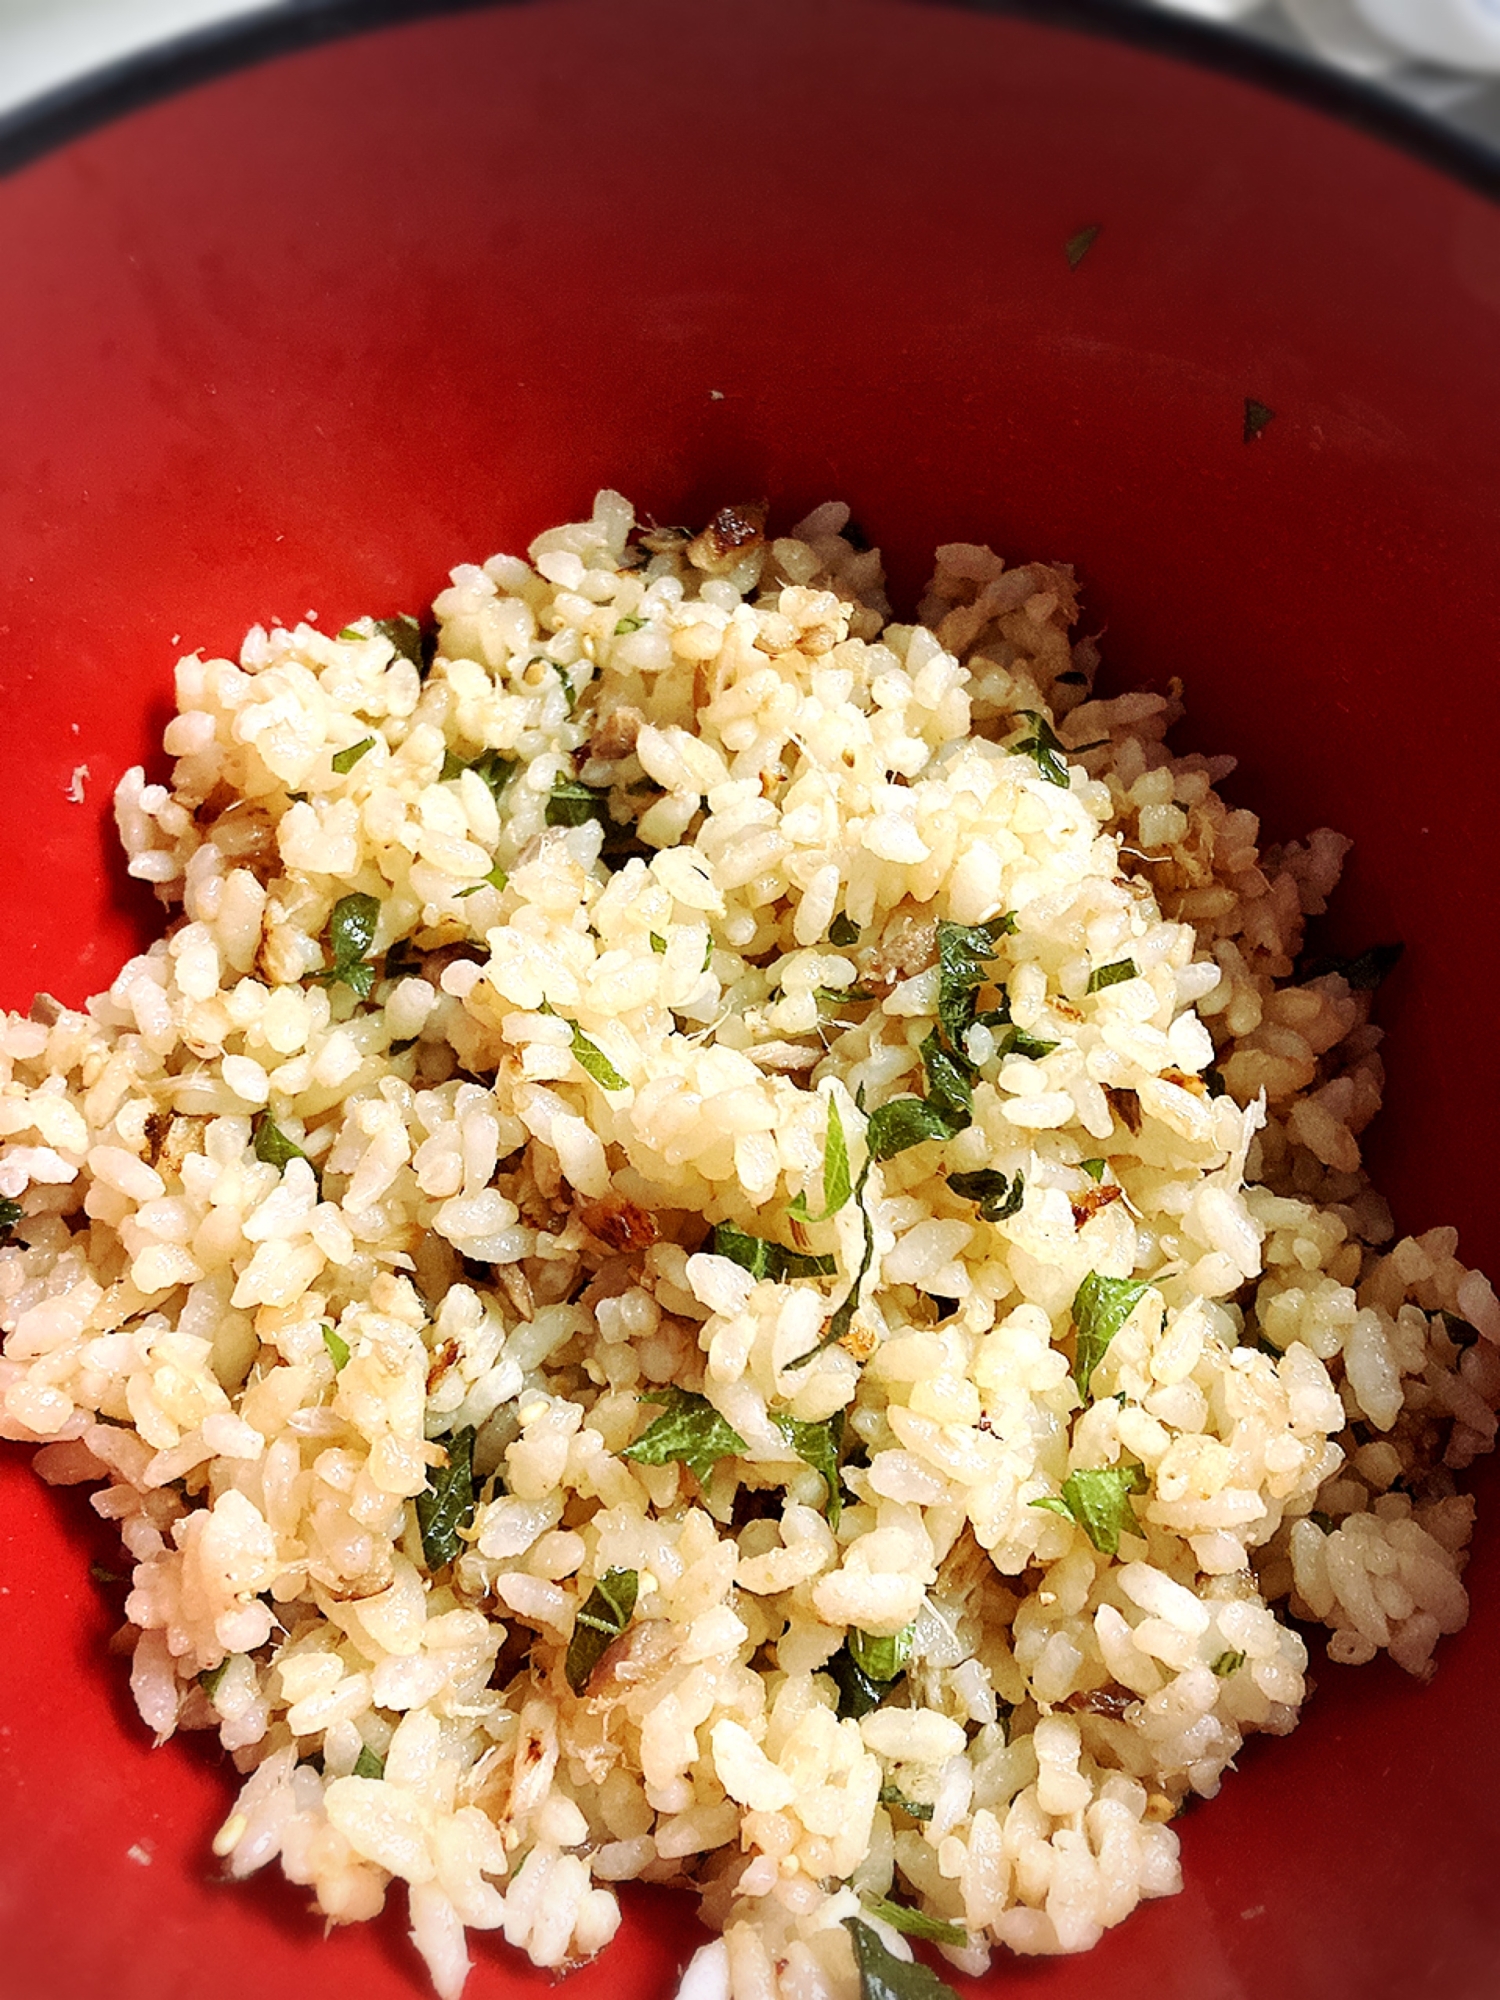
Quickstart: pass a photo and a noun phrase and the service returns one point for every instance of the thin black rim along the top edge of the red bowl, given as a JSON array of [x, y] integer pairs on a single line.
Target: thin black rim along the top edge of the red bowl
[[205, 55]]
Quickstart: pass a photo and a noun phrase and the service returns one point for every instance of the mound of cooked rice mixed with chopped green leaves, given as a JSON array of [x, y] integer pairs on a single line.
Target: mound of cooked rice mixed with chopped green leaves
[[723, 1247]]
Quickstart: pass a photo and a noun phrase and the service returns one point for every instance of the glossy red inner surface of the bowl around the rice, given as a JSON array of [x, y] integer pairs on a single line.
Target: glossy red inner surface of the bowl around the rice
[[305, 337]]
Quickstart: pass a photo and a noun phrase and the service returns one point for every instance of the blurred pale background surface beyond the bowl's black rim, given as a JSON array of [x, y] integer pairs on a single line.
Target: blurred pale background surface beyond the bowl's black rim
[[1395, 43]]
